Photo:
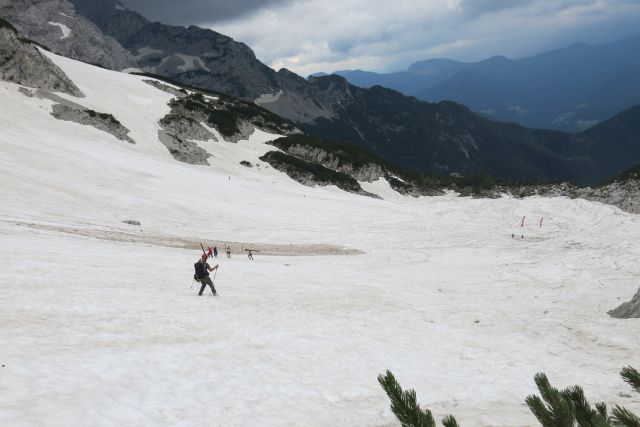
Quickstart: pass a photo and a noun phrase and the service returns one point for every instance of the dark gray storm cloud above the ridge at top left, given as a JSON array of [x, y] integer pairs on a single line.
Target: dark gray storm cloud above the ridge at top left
[[195, 12]]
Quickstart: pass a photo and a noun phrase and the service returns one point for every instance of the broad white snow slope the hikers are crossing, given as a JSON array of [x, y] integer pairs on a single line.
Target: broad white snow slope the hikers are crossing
[[109, 331]]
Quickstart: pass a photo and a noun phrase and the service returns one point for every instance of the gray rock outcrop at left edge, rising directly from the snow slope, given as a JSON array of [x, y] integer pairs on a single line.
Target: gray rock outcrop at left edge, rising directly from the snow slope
[[22, 63]]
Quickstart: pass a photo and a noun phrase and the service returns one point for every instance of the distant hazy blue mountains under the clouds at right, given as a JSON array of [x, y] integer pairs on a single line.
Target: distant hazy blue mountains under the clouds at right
[[565, 89]]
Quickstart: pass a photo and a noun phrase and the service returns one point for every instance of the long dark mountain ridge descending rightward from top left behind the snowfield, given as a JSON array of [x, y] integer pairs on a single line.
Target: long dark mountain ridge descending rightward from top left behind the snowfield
[[444, 138]]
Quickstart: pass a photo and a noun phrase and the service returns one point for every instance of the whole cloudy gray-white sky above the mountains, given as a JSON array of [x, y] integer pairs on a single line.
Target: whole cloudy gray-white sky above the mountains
[[308, 36]]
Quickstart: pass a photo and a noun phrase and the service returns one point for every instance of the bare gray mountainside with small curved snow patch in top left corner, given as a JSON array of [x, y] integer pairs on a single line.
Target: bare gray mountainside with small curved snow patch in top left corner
[[55, 24]]
